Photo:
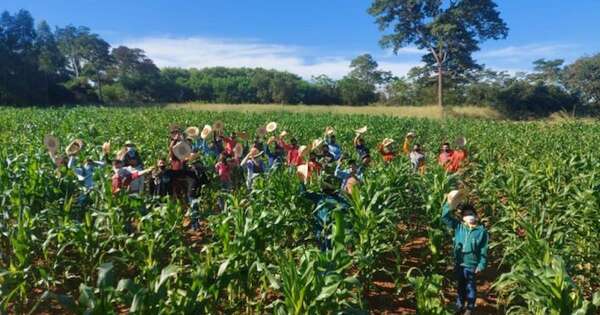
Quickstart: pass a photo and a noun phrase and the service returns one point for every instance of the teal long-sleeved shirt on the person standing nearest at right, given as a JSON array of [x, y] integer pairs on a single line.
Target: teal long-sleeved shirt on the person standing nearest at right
[[470, 243]]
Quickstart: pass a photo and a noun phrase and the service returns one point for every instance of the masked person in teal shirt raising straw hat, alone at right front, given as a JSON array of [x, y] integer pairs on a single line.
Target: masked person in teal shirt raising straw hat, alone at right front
[[470, 249]]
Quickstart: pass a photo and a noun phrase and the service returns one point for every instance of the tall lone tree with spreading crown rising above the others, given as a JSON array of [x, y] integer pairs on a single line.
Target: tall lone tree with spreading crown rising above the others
[[449, 30]]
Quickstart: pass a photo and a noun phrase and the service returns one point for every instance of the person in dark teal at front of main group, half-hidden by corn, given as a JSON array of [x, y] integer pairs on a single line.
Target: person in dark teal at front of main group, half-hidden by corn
[[326, 203]]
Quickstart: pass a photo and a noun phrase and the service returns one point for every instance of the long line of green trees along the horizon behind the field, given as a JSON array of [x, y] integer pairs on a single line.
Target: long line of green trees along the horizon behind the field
[[72, 65]]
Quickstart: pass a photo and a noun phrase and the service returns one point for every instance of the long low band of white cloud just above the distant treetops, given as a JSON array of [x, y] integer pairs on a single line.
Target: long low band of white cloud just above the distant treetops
[[201, 52]]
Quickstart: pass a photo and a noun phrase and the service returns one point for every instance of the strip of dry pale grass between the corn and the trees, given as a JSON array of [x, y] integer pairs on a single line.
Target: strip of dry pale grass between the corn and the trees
[[396, 111]]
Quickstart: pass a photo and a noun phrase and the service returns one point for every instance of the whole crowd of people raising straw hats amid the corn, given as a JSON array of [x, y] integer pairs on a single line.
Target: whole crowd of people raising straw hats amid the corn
[[239, 160]]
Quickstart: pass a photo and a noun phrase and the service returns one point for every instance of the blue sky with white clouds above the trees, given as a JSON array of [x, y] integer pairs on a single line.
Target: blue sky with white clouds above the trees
[[308, 37]]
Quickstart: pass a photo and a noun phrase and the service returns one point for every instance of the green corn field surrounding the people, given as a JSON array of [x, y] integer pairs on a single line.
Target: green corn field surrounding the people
[[536, 187]]
